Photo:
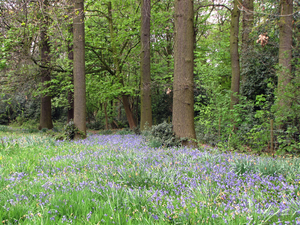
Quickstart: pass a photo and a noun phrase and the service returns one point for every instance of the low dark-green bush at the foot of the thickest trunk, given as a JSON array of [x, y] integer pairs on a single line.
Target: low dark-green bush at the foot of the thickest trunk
[[163, 135]]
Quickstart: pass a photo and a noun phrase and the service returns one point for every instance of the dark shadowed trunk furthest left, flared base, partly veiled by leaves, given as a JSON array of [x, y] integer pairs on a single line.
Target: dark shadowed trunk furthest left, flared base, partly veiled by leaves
[[45, 117]]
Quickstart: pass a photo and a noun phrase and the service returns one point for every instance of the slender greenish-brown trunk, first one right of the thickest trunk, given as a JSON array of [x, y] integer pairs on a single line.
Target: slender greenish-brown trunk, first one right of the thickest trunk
[[234, 53]]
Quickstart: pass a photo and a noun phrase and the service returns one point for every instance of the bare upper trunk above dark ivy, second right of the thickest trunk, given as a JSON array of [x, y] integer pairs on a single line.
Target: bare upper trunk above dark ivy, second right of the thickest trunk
[[247, 42]]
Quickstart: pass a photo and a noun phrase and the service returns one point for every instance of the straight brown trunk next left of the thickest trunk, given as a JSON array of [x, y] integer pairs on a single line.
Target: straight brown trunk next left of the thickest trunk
[[146, 109]]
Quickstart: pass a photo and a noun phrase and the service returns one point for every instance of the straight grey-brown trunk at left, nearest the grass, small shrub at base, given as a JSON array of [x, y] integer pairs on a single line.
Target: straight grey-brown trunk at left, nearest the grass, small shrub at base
[[79, 69]]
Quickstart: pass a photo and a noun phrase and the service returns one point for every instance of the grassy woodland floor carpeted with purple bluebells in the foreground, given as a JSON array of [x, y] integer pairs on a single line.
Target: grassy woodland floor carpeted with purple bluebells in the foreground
[[119, 179]]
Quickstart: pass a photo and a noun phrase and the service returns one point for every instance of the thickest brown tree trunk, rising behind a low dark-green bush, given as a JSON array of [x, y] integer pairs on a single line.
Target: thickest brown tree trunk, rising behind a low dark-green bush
[[183, 95]]
